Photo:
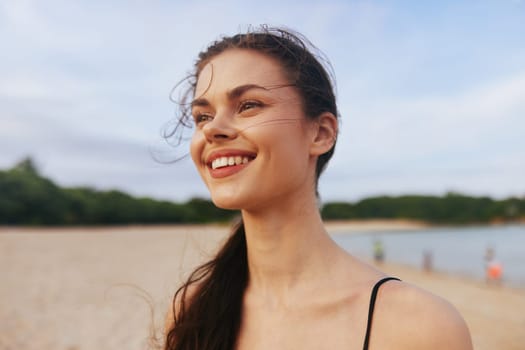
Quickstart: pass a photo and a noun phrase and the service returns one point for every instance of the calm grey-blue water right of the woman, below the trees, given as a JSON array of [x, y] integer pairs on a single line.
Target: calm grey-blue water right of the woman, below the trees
[[460, 251]]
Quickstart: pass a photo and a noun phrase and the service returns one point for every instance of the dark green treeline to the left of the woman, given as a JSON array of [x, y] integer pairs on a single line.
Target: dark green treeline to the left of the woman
[[26, 198]]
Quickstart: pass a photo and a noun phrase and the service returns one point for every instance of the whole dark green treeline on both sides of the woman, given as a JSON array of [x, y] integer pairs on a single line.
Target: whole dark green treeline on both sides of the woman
[[27, 198]]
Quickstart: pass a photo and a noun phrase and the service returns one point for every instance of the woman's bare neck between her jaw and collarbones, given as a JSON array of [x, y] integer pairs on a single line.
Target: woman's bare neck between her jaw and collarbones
[[287, 248]]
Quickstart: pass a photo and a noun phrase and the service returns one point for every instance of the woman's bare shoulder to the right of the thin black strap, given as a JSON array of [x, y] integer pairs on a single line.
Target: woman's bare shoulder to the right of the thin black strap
[[408, 317]]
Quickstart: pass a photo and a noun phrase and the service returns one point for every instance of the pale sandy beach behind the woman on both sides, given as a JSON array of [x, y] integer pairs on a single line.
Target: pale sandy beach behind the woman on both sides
[[108, 288]]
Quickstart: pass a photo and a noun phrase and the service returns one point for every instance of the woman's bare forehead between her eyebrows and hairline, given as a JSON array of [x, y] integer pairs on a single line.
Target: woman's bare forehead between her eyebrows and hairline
[[238, 67]]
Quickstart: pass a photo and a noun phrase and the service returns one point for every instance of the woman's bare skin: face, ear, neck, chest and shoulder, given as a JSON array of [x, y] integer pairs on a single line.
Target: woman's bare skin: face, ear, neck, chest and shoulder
[[304, 292]]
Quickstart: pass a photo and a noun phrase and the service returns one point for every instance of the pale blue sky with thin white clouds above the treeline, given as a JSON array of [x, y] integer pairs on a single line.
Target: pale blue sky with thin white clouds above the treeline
[[431, 94]]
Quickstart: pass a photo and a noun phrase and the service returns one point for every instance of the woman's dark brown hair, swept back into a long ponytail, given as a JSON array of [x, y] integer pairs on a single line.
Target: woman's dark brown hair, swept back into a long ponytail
[[209, 317]]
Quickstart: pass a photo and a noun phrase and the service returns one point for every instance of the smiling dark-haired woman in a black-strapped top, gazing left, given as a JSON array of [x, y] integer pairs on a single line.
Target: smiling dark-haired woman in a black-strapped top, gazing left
[[265, 126]]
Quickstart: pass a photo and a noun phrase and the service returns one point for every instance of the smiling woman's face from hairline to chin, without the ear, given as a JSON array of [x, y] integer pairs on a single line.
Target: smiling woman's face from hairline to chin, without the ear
[[251, 143]]
